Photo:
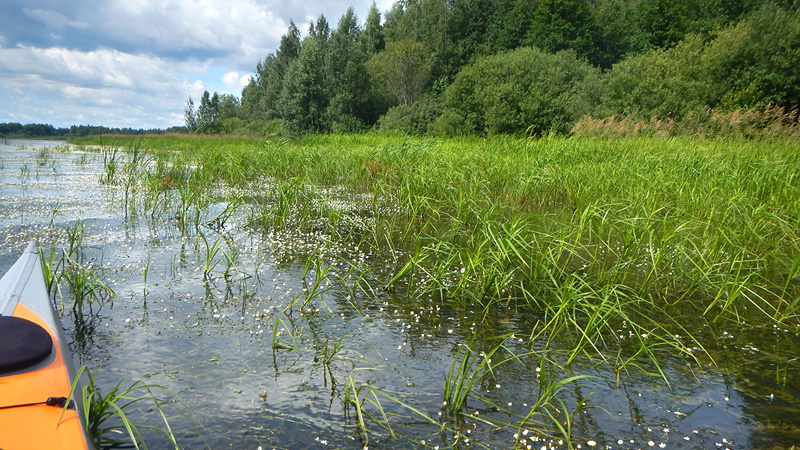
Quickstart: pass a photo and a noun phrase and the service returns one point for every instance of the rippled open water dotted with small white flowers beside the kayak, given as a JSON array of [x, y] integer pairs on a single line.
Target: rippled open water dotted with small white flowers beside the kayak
[[210, 339]]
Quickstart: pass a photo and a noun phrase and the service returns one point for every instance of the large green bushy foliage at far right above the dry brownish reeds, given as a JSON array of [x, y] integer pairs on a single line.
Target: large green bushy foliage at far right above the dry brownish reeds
[[748, 65]]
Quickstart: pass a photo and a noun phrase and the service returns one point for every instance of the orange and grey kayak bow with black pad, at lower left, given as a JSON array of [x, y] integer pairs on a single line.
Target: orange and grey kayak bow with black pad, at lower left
[[36, 368]]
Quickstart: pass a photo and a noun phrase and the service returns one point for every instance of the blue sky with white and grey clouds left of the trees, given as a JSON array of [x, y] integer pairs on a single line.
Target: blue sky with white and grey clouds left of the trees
[[134, 63]]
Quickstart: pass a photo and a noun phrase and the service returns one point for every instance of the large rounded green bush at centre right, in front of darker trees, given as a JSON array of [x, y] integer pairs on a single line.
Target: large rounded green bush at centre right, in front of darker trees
[[524, 90]]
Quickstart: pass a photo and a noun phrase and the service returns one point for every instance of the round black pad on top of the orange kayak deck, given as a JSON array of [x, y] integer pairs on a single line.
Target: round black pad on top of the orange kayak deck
[[22, 344]]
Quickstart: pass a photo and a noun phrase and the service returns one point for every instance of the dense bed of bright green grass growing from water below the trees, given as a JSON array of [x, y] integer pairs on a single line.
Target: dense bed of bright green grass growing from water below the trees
[[615, 246]]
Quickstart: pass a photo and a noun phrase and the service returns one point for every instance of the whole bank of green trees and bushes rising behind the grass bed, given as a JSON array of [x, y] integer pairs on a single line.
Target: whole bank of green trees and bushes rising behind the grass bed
[[452, 67]]
